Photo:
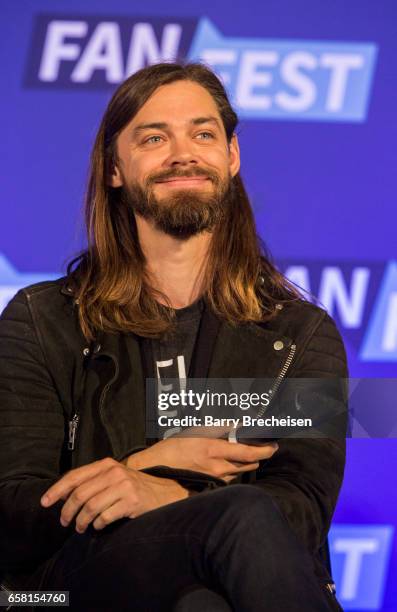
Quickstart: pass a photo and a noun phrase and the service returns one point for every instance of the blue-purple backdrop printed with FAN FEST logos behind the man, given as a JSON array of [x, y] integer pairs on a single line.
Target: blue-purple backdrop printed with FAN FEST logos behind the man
[[314, 84]]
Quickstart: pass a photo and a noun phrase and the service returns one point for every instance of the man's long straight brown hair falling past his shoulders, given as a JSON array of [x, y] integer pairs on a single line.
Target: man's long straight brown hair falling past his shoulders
[[241, 283]]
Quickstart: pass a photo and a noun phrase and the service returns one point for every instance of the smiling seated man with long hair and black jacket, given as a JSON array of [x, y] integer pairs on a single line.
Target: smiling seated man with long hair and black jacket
[[174, 283]]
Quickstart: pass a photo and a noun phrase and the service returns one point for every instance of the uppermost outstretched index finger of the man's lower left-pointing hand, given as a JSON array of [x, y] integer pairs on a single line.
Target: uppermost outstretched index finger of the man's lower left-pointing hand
[[63, 487]]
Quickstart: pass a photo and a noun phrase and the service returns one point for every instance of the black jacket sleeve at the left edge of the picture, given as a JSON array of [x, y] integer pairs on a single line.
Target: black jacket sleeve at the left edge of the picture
[[32, 431]]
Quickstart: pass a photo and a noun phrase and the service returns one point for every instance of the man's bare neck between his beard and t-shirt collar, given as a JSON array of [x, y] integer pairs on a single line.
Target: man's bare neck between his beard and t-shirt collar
[[174, 267]]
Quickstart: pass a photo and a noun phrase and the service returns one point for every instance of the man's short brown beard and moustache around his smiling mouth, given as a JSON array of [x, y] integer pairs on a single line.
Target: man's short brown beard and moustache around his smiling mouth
[[185, 212]]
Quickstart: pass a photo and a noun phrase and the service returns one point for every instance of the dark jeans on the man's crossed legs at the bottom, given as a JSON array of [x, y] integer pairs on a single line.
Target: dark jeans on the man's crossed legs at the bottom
[[233, 540]]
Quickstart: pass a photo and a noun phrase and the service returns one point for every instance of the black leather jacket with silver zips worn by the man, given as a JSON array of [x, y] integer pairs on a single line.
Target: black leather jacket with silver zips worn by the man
[[50, 378]]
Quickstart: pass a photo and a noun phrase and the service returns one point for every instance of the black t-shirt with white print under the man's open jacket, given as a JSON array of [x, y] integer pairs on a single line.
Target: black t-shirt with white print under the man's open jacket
[[170, 356]]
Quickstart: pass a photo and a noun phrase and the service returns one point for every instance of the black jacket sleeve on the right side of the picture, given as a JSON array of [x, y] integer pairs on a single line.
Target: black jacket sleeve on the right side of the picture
[[305, 475]]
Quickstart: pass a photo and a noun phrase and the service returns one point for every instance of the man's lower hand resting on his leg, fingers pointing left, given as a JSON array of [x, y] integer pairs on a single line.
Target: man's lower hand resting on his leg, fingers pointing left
[[106, 490]]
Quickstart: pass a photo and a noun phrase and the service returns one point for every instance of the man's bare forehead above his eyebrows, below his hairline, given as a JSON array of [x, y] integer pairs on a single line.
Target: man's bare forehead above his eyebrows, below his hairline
[[178, 103]]
